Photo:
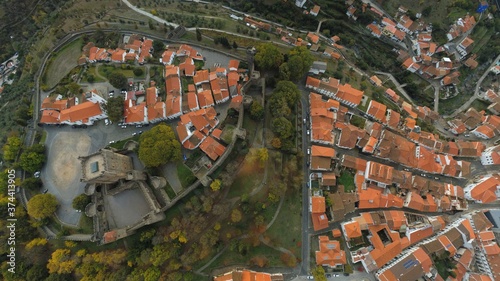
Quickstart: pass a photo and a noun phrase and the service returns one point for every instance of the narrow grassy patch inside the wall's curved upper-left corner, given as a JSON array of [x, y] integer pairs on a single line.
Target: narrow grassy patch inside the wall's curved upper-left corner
[[63, 62]]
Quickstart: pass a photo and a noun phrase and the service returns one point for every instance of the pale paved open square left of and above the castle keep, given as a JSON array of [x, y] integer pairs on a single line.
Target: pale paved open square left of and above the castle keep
[[62, 172]]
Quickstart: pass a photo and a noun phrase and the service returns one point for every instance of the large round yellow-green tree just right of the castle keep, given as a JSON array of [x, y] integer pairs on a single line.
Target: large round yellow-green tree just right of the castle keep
[[159, 146]]
